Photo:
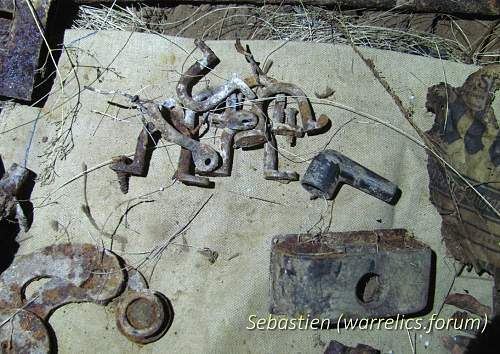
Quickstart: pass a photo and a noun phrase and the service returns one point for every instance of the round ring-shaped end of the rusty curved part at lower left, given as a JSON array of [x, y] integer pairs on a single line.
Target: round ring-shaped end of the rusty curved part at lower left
[[143, 316]]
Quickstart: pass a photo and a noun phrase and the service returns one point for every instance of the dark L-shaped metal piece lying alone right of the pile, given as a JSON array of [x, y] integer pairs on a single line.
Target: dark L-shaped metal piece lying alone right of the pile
[[330, 169]]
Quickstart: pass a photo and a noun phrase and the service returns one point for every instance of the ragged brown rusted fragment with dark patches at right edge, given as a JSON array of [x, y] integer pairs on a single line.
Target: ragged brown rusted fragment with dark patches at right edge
[[467, 135]]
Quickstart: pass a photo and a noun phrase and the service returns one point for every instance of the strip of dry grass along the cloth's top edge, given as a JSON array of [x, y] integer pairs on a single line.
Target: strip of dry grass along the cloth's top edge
[[299, 23]]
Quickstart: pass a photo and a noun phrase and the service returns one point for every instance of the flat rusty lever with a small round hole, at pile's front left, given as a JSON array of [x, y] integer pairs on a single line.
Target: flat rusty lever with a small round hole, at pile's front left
[[205, 157]]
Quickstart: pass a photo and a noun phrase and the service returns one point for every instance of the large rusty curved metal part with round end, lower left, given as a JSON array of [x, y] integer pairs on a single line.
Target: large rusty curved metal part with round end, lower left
[[75, 273]]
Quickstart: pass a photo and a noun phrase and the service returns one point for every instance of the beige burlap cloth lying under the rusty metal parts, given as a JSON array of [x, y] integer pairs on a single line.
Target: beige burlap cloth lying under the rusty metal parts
[[212, 302]]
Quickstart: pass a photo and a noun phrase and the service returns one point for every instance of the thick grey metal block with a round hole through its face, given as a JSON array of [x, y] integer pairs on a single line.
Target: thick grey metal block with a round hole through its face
[[359, 274]]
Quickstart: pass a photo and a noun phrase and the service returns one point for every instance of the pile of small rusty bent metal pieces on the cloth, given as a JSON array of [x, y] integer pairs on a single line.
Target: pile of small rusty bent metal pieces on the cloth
[[179, 120]]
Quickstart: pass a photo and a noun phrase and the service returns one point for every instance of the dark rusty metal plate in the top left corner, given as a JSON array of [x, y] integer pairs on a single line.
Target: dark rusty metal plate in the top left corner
[[20, 45]]
